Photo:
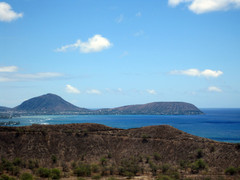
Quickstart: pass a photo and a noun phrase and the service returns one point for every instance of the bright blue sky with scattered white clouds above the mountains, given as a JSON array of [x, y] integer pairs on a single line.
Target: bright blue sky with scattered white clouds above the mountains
[[110, 53]]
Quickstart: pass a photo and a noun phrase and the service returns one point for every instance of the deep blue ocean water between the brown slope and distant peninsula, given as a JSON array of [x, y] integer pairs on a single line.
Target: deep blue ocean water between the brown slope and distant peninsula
[[217, 124]]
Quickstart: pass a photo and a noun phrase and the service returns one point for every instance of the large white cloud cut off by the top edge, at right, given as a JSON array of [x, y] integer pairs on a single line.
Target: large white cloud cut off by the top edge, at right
[[204, 6]]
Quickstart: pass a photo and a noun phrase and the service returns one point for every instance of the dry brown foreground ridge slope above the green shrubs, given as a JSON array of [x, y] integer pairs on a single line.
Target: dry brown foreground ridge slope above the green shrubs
[[148, 147]]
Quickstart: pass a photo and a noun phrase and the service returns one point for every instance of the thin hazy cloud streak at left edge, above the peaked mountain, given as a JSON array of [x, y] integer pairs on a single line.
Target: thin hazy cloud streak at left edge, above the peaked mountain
[[29, 77]]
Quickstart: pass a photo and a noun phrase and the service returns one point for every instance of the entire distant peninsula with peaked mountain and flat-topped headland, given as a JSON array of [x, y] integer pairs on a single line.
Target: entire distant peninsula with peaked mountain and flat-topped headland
[[53, 104]]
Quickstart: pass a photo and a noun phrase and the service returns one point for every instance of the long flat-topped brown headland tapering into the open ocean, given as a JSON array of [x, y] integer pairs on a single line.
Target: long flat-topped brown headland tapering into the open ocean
[[155, 108]]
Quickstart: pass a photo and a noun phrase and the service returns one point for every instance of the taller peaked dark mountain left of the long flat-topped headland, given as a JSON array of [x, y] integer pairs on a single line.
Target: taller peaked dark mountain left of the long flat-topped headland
[[48, 104]]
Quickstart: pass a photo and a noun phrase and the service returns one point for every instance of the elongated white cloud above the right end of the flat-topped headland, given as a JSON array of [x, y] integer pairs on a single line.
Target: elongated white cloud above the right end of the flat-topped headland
[[195, 72]]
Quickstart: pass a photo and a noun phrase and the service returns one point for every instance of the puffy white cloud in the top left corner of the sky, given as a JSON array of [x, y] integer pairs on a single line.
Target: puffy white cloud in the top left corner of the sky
[[7, 14]]
